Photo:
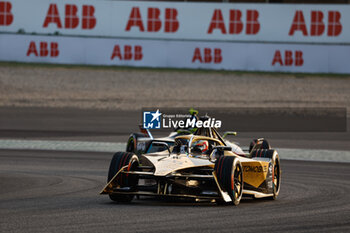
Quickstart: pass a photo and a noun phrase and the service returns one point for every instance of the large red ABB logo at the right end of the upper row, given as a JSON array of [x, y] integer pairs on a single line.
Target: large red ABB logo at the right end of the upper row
[[317, 28]]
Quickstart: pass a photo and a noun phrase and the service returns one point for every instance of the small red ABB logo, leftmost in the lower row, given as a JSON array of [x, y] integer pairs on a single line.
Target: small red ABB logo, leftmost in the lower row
[[43, 49]]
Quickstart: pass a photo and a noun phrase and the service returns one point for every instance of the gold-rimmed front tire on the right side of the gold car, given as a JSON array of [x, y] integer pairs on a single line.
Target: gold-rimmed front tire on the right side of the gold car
[[229, 173]]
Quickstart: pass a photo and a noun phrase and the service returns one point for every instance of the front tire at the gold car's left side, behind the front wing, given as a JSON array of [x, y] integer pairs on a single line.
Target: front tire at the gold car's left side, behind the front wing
[[119, 160]]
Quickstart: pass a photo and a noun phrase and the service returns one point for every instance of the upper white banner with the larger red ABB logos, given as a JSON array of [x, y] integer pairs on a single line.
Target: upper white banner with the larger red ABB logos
[[297, 23]]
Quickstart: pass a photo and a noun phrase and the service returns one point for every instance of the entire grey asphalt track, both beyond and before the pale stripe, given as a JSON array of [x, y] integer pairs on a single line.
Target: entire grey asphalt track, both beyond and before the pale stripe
[[58, 191]]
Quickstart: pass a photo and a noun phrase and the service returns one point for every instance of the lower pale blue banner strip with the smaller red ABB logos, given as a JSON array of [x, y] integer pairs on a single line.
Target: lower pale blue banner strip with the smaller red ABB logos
[[323, 58]]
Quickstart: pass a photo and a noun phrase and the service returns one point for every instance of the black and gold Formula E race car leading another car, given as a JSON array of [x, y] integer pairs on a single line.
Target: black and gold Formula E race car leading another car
[[198, 167]]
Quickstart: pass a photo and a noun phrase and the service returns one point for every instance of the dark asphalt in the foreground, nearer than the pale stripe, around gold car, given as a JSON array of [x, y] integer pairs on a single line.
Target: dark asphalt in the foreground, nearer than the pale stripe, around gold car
[[47, 191]]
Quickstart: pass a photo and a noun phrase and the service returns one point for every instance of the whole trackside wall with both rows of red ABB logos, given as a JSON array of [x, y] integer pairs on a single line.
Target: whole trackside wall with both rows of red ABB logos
[[247, 37]]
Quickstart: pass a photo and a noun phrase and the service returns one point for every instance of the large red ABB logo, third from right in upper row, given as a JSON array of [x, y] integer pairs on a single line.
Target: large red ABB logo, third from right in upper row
[[154, 23]]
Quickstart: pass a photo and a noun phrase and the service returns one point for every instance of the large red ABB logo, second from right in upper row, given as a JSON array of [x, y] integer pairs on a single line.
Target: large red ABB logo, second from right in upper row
[[235, 26]]
